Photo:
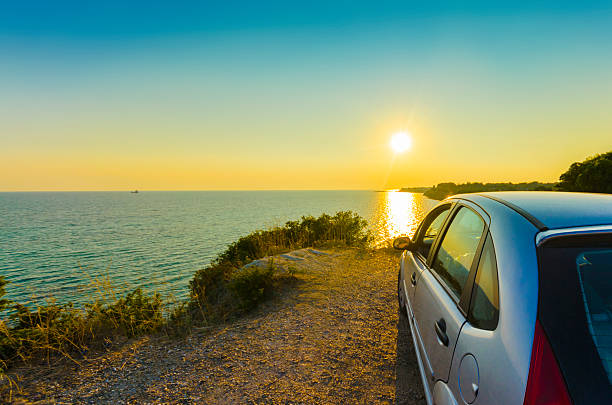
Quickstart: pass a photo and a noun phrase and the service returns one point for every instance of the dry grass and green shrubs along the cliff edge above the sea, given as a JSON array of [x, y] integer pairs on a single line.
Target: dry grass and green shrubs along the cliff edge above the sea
[[219, 292]]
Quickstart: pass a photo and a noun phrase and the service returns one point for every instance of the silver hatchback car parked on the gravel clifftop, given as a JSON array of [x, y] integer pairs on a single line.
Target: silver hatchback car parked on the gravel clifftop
[[509, 298]]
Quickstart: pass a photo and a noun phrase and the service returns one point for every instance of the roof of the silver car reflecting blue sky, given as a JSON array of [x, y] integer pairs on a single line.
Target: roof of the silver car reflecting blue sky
[[551, 209]]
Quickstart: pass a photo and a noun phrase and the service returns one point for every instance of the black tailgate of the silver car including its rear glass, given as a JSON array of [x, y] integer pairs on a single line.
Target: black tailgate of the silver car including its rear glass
[[575, 311]]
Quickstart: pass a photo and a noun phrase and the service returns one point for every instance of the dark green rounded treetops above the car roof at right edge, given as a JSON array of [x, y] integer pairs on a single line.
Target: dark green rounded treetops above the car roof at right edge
[[593, 175]]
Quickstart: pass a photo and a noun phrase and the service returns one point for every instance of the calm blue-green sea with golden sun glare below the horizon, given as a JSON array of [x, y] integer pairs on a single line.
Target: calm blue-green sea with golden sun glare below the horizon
[[54, 244]]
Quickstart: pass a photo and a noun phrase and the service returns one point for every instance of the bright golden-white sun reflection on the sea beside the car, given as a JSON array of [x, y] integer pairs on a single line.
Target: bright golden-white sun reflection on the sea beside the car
[[398, 214]]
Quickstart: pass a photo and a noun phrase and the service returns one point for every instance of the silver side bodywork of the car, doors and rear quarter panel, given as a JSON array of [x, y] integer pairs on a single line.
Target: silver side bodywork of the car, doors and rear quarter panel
[[503, 354]]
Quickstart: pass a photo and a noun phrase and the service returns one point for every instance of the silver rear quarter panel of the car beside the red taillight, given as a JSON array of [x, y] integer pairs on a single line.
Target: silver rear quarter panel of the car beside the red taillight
[[505, 353]]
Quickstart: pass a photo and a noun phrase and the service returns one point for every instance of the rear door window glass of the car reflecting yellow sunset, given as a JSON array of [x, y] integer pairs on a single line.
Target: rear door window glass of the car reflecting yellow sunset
[[458, 248]]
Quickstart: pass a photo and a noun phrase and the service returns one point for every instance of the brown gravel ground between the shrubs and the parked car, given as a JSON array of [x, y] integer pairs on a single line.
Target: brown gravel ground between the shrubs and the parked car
[[334, 338]]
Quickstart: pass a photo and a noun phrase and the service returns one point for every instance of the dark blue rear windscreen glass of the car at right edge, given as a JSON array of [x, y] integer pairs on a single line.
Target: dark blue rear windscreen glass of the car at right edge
[[595, 276]]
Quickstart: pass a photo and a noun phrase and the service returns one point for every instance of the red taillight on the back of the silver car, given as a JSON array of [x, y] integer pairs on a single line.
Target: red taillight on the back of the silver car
[[545, 384]]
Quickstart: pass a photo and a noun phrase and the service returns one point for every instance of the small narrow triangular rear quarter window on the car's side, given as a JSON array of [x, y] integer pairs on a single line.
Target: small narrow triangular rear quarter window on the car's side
[[484, 306]]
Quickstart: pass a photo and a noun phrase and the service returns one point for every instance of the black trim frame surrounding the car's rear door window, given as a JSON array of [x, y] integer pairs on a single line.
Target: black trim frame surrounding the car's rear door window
[[462, 302]]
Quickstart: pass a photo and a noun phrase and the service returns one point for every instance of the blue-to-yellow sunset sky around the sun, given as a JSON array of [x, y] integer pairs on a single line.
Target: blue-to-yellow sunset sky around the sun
[[152, 95]]
